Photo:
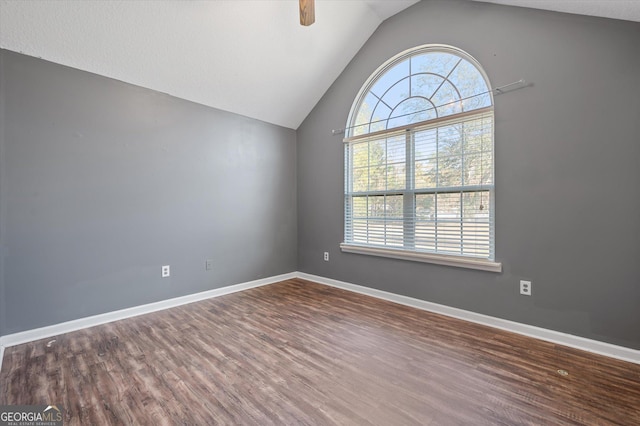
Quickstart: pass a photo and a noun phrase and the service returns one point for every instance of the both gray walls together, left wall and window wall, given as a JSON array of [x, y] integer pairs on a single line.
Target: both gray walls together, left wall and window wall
[[102, 182]]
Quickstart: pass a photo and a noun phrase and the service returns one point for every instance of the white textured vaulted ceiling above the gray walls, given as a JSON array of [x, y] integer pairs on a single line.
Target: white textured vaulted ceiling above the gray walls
[[248, 57]]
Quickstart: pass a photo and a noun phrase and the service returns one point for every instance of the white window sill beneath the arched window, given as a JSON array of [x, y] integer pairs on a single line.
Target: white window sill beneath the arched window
[[438, 259]]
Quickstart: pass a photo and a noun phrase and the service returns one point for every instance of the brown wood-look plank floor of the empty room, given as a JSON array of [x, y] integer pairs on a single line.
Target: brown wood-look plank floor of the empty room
[[303, 353]]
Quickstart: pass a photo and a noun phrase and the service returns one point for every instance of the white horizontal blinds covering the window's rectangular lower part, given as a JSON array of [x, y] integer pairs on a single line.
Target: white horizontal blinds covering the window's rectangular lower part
[[427, 189]]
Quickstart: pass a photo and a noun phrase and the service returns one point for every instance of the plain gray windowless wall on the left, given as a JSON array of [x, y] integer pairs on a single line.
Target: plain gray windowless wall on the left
[[103, 182]]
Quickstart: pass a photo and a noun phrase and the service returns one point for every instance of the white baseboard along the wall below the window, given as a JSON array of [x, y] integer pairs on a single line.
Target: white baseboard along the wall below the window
[[577, 342]]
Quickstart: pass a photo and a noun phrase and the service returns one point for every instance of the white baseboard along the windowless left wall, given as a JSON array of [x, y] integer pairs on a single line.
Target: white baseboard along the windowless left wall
[[66, 327]]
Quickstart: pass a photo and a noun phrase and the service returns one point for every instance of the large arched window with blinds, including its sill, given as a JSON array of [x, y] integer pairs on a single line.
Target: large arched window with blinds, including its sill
[[419, 161]]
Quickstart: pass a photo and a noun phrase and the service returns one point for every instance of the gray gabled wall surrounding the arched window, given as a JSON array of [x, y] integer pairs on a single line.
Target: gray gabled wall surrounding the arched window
[[567, 169]]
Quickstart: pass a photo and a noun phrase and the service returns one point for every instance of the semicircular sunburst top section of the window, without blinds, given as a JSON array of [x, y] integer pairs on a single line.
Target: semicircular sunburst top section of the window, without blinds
[[418, 85]]
